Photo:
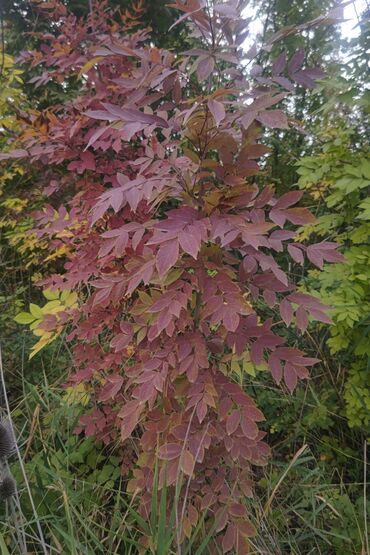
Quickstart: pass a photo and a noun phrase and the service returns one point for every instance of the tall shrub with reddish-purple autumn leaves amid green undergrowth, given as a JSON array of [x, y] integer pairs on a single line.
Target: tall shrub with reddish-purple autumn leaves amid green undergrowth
[[172, 246]]
